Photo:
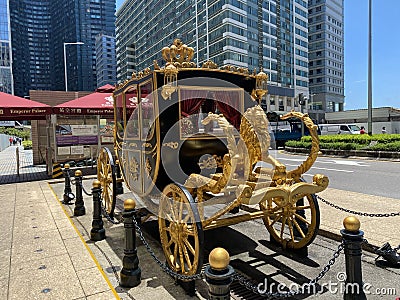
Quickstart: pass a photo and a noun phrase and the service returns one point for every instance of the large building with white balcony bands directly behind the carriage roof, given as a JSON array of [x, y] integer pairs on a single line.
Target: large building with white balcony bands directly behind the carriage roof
[[265, 34]]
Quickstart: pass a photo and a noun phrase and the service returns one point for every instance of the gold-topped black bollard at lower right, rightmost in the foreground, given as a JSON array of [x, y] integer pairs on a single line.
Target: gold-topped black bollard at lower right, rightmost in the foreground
[[353, 238]]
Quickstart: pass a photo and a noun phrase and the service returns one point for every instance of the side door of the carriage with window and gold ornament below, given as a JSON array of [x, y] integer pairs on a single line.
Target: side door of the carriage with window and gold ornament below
[[131, 150]]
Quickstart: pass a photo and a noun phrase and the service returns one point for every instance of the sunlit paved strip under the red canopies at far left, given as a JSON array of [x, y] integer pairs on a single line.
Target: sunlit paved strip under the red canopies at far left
[[27, 171]]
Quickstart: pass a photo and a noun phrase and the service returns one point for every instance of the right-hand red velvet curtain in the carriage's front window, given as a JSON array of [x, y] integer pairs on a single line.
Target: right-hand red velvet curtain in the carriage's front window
[[229, 104]]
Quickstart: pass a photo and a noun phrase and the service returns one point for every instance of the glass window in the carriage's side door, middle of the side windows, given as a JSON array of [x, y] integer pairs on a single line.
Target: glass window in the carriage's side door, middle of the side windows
[[132, 113]]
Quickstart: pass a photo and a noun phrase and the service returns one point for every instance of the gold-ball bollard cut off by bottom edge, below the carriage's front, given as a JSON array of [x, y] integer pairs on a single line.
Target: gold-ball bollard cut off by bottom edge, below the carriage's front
[[219, 275]]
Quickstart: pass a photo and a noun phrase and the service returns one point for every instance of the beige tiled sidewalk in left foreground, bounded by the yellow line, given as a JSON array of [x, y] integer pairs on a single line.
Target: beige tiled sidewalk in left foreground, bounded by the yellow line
[[42, 254]]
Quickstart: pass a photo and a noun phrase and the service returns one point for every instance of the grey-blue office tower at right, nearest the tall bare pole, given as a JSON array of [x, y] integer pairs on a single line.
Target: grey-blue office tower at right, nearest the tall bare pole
[[326, 56]]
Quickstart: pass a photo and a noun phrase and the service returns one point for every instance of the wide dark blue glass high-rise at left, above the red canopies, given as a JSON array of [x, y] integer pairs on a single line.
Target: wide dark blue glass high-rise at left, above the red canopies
[[39, 30]]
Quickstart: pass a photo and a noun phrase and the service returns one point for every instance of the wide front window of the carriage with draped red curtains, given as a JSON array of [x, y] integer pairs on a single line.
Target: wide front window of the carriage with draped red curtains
[[195, 105]]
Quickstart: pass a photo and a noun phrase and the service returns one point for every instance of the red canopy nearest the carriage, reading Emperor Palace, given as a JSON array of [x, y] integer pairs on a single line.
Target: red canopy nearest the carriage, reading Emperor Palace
[[98, 103]]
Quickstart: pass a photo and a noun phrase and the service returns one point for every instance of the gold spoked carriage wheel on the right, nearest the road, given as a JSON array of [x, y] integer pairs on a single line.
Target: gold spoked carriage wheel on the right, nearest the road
[[294, 225]]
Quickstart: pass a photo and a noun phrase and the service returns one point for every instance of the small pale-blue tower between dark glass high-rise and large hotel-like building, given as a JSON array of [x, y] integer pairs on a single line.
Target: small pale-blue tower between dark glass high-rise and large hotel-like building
[[105, 60]]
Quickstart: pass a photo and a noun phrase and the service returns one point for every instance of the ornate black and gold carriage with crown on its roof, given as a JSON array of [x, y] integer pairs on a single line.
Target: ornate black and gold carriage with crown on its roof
[[193, 144]]
